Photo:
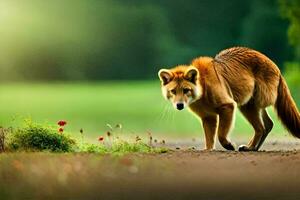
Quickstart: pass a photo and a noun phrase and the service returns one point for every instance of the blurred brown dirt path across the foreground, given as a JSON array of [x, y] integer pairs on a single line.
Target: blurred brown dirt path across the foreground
[[176, 175]]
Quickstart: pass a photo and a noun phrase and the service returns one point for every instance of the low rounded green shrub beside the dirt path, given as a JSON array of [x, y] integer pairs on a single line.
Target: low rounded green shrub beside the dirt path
[[35, 137]]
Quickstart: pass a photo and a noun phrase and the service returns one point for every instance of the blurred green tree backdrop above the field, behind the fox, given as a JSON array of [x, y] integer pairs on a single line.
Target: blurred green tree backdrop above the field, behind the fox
[[132, 39]]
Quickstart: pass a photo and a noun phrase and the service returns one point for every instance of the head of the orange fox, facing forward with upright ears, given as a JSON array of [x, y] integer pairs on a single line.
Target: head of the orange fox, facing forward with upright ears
[[180, 85]]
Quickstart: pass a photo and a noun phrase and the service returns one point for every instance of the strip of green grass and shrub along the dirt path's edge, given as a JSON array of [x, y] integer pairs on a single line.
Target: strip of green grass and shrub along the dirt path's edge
[[34, 137]]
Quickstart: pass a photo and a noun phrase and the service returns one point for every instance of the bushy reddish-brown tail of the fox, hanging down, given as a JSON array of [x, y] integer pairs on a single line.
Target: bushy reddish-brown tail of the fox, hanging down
[[287, 110]]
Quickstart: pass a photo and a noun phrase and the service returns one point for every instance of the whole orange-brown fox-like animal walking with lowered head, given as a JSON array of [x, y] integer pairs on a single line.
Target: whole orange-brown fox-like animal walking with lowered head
[[237, 77]]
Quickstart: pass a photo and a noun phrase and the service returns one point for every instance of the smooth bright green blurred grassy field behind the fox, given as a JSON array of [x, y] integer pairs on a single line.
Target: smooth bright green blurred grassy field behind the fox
[[138, 106]]
